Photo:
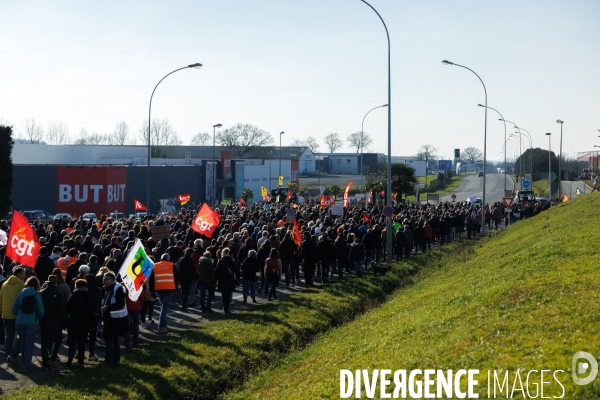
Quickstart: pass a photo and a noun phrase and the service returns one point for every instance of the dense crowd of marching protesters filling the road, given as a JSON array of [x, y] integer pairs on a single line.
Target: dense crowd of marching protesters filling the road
[[74, 285]]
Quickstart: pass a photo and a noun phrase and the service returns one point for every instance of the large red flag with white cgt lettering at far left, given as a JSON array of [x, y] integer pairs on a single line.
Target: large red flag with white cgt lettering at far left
[[23, 245]]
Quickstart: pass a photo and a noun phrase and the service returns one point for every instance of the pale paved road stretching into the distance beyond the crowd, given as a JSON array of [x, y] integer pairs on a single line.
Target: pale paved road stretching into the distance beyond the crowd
[[472, 185]]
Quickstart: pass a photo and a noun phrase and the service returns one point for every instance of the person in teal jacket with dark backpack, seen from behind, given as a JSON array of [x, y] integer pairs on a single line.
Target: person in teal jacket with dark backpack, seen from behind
[[29, 309]]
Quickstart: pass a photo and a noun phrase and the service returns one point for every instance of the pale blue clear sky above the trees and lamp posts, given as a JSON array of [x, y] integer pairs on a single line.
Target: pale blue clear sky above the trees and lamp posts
[[309, 68]]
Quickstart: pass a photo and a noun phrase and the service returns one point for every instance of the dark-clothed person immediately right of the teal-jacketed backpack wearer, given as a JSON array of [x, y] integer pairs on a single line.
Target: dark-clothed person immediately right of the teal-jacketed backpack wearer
[[54, 315]]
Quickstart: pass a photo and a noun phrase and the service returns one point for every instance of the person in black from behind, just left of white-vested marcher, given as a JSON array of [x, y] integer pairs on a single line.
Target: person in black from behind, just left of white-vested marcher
[[80, 321]]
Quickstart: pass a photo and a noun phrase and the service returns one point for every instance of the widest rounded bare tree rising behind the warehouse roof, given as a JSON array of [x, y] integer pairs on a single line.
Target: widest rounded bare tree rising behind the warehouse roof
[[244, 139]]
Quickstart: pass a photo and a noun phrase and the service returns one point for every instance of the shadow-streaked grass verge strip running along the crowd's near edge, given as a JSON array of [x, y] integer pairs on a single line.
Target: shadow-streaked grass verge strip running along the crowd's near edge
[[205, 361]]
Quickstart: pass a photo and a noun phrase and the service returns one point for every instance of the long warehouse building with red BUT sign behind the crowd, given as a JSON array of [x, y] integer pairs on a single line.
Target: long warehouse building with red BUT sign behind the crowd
[[101, 179]]
